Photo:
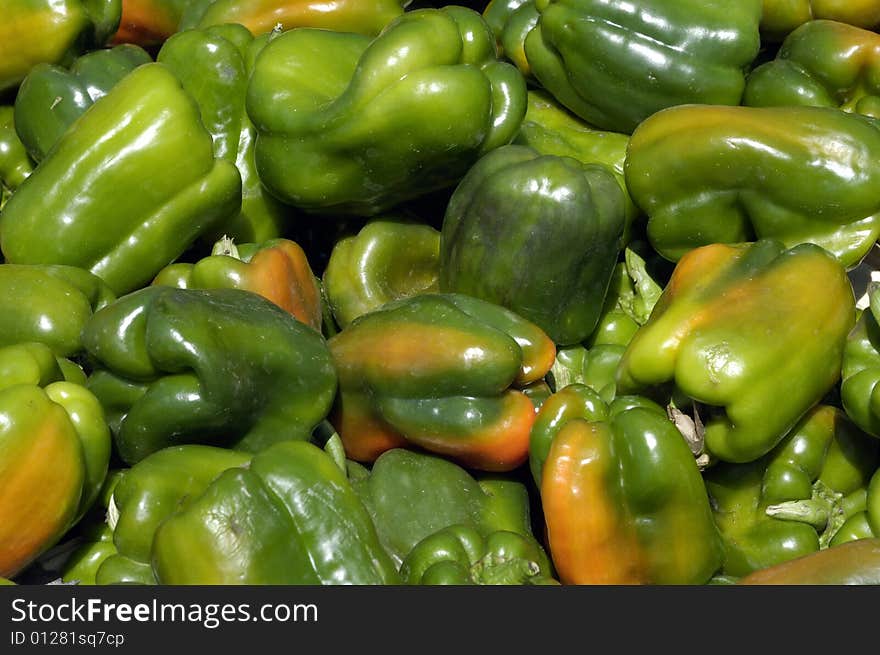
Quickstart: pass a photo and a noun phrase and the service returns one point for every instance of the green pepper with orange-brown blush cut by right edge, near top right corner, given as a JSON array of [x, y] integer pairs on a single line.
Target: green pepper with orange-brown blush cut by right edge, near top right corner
[[822, 63]]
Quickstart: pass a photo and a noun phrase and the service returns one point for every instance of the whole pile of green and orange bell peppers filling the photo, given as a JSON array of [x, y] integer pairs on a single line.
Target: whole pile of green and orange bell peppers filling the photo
[[392, 292]]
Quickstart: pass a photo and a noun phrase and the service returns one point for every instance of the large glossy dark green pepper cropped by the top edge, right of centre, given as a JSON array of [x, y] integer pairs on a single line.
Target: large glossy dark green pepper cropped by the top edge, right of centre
[[615, 62]]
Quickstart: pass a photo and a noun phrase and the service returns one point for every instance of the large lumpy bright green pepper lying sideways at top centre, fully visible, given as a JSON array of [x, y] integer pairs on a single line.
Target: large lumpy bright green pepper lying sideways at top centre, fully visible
[[349, 124]]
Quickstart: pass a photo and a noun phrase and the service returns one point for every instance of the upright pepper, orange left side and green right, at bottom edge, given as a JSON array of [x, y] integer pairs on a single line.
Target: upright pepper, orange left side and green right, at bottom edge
[[624, 502]]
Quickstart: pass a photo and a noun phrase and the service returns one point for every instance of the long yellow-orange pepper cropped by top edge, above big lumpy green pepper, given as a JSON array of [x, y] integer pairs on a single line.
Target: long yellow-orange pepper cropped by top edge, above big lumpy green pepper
[[366, 17]]
